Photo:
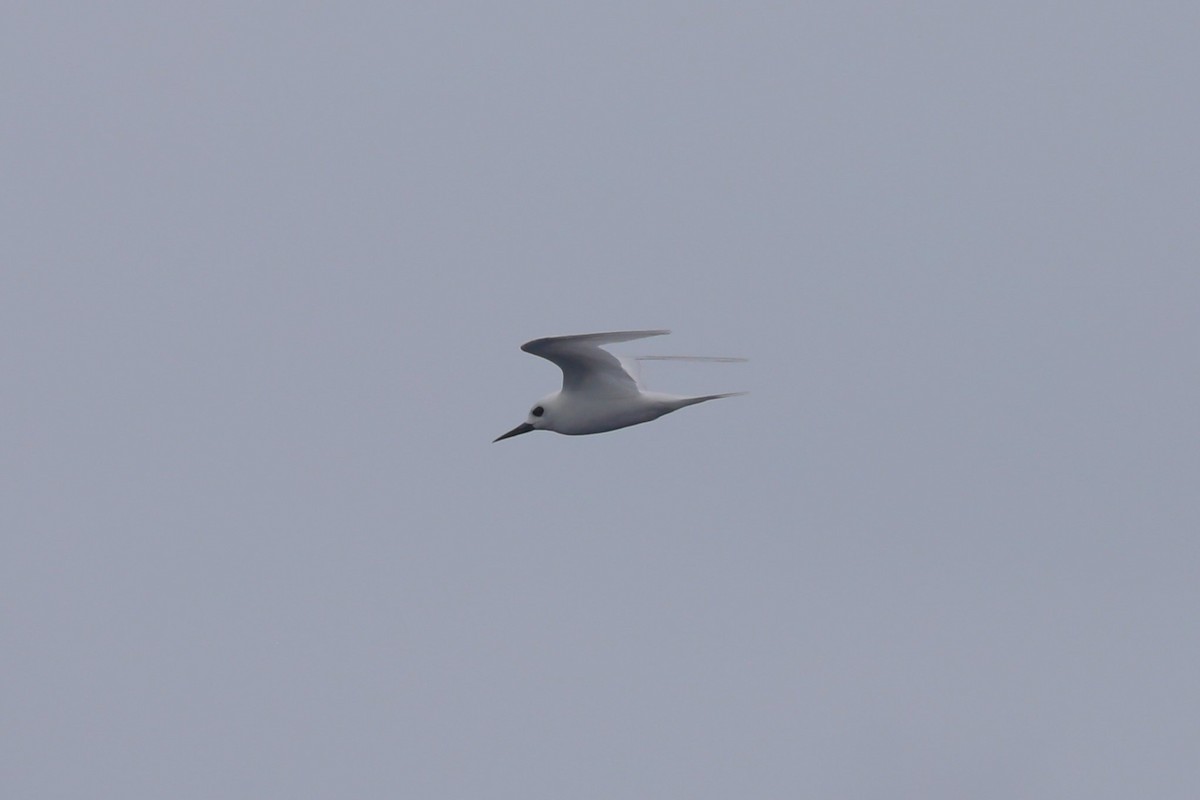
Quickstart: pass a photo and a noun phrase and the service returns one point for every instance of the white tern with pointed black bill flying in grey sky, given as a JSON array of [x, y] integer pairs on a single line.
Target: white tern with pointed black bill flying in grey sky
[[601, 392]]
